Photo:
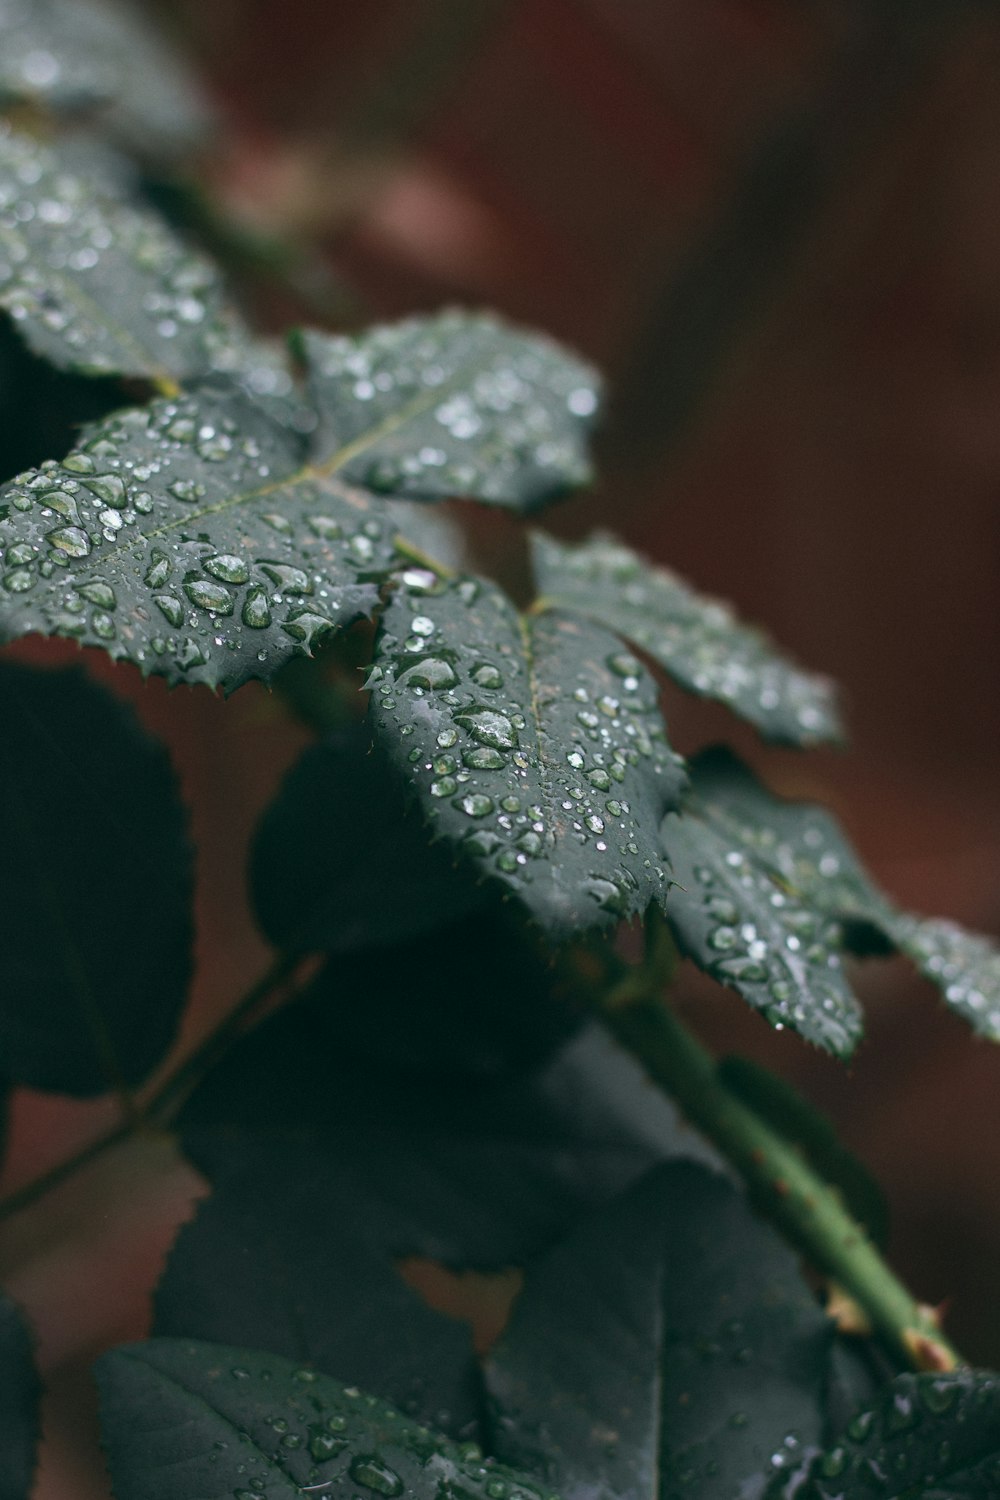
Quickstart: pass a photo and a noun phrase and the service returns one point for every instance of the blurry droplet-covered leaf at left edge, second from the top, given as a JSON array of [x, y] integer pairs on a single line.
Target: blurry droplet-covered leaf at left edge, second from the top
[[97, 286]]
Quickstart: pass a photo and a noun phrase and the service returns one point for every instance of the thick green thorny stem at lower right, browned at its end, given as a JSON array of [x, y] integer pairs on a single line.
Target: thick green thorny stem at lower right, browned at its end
[[801, 1205]]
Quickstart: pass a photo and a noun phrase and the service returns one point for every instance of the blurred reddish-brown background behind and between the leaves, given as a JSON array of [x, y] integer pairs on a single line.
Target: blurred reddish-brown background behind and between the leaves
[[776, 227]]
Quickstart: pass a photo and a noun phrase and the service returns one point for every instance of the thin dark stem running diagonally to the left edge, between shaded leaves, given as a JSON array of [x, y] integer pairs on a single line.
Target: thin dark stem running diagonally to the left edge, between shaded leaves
[[164, 1103]]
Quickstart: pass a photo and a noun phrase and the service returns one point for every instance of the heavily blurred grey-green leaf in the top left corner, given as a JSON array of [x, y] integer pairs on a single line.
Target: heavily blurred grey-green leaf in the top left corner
[[76, 58]]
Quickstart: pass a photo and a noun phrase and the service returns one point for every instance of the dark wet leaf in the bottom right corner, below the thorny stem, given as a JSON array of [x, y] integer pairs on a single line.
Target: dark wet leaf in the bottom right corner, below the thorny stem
[[929, 1438]]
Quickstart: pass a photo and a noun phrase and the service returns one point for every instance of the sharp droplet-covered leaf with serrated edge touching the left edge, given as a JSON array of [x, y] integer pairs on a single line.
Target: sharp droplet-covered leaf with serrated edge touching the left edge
[[170, 536]]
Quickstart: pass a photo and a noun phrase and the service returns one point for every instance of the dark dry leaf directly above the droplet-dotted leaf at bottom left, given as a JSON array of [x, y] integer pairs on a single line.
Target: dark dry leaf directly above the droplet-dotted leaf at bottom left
[[295, 1255]]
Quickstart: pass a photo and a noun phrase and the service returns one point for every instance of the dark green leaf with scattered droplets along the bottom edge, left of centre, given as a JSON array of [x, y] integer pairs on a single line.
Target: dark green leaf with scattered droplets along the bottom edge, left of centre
[[184, 1420]]
